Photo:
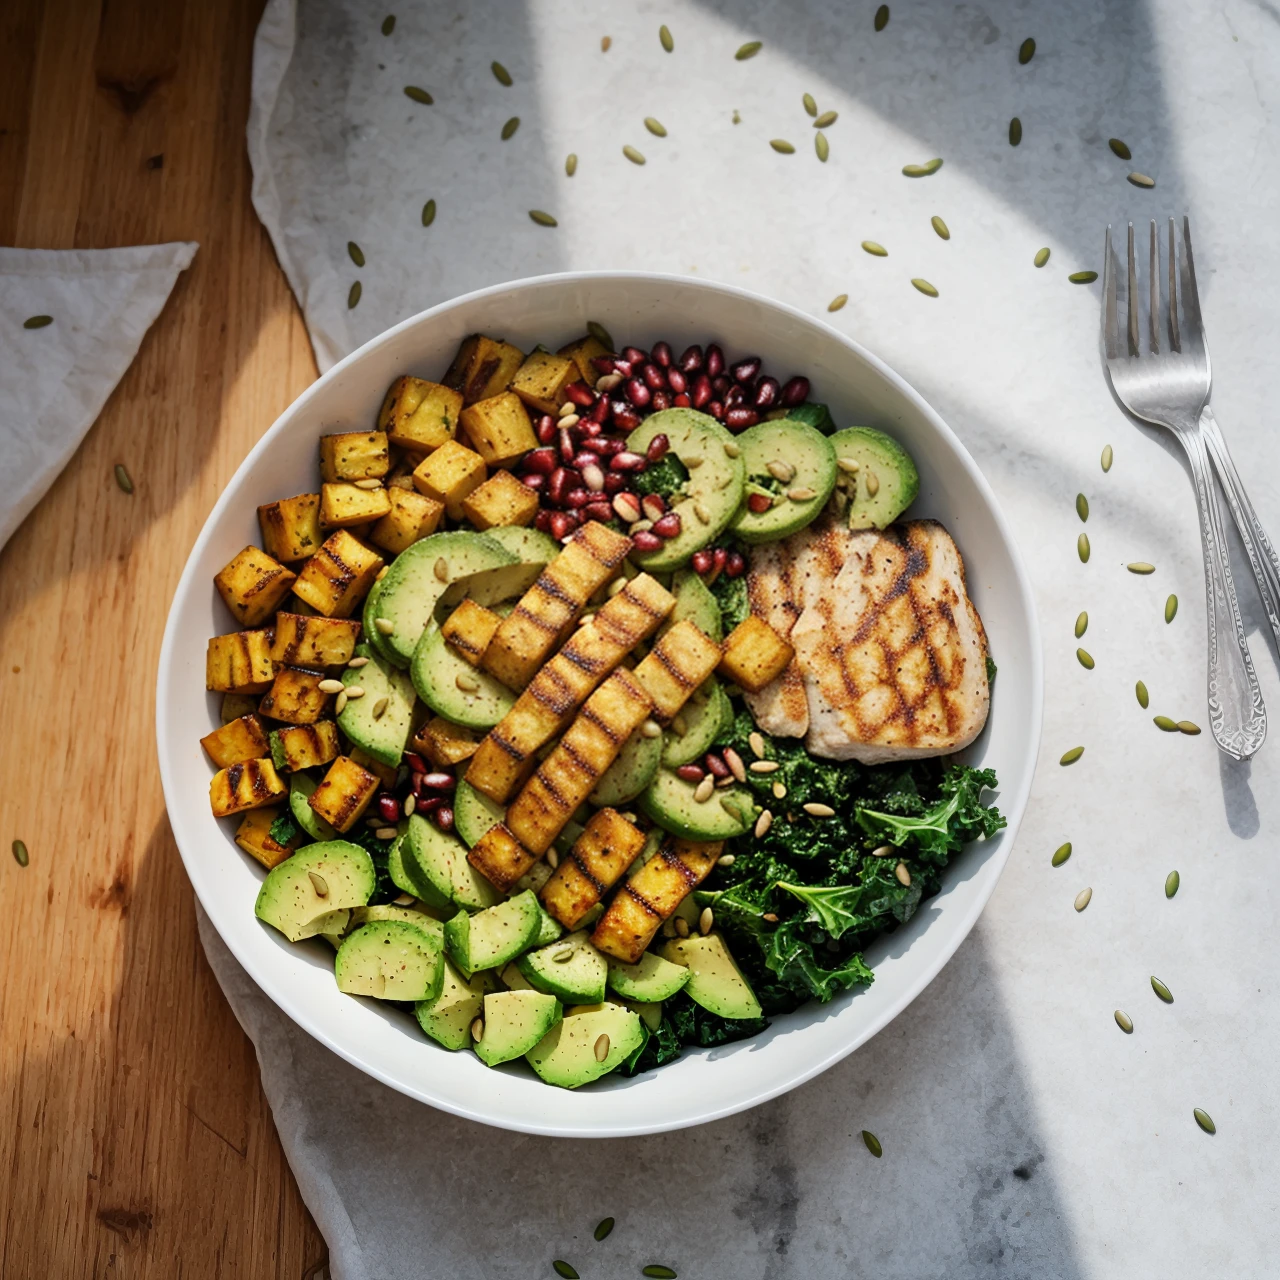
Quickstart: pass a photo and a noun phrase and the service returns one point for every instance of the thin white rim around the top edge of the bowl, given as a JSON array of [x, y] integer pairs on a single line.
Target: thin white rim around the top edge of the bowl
[[1013, 804]]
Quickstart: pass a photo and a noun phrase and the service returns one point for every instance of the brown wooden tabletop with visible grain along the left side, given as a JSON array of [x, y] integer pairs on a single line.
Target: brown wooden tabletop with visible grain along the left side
[[135, 1140]]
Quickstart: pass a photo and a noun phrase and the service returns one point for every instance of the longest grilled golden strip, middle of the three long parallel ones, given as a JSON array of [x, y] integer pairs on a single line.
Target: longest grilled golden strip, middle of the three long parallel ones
[[545, 708]]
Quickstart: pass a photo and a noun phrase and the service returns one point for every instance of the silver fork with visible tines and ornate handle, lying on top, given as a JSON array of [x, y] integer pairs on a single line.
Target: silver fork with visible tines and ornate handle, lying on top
[[1168, 383]]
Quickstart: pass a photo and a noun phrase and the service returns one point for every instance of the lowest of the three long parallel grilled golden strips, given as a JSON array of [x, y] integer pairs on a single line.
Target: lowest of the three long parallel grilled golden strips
[[570, 774]]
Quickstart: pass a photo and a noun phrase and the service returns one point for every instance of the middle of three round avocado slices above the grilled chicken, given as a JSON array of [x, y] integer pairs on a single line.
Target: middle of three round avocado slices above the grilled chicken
[[813, 461]]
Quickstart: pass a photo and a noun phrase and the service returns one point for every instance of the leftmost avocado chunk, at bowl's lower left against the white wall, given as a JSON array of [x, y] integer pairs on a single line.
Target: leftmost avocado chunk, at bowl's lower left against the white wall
[[303, 894]]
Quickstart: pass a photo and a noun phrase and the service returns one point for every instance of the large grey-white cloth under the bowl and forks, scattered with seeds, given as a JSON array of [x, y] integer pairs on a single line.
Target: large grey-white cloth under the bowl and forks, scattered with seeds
[[1025, 1135]]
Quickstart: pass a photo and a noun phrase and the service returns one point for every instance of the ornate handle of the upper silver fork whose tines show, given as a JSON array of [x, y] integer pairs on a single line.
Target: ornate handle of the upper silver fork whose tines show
[[1236, 711]]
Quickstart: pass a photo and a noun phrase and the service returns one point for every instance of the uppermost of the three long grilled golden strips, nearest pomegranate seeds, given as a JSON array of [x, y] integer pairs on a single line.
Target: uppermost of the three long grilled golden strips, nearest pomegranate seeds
[[545, 615]]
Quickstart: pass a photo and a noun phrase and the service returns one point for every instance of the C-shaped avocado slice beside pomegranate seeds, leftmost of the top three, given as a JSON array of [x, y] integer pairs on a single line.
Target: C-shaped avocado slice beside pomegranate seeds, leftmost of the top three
[[714, 490]]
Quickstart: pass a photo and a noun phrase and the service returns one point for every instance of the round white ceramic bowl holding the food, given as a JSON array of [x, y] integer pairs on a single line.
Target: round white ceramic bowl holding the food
[[705, 1085]]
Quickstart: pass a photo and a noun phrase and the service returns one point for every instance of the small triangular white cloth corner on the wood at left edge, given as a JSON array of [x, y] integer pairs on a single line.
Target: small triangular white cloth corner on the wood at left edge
[[56, 380]]
